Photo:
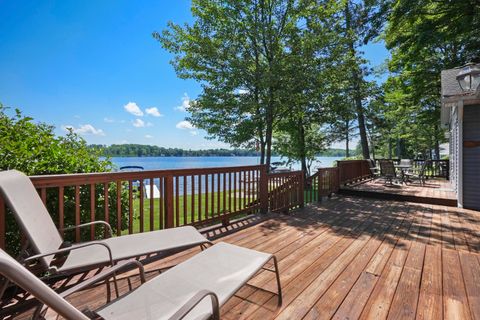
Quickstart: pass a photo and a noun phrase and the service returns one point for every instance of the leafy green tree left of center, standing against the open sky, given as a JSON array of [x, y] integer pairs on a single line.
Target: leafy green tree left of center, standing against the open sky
[[236, 49]]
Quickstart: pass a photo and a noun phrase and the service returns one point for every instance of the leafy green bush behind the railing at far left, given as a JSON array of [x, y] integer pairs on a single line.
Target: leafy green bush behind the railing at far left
[[34, 149]]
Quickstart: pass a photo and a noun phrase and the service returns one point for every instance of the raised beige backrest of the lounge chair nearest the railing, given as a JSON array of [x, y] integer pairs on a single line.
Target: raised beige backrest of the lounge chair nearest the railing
[[30, 213]]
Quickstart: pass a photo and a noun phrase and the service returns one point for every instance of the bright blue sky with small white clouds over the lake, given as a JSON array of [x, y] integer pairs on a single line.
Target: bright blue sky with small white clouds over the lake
[[94, 66]]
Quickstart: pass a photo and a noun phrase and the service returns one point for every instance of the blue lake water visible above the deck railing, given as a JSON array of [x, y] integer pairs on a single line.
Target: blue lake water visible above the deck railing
[[156, 163]]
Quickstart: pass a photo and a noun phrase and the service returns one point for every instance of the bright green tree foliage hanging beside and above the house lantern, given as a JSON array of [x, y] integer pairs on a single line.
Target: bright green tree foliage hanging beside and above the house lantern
[[425, 37]]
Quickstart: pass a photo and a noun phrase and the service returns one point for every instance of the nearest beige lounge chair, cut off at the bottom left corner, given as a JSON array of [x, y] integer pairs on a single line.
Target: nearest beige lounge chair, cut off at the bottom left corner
[[179, 293]]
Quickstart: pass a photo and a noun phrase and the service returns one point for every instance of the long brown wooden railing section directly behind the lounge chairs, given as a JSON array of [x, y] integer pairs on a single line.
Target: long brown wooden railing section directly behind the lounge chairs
[[179, 197]]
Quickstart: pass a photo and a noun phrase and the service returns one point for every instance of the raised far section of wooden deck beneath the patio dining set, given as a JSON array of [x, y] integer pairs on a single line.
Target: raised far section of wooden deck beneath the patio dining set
[[435, 191]]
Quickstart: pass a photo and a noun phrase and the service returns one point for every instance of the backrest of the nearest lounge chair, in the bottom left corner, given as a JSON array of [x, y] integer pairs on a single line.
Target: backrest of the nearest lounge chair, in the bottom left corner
[[16, 273]]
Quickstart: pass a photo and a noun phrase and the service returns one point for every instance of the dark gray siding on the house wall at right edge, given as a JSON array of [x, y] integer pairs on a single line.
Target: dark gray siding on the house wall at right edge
[[471, 158]]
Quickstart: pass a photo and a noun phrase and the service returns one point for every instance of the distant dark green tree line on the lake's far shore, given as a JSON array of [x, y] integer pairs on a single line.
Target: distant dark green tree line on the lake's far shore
[[140, 150]]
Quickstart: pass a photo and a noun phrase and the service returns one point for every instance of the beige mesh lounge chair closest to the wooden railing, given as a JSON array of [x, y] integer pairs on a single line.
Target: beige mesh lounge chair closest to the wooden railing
[[45, 240]]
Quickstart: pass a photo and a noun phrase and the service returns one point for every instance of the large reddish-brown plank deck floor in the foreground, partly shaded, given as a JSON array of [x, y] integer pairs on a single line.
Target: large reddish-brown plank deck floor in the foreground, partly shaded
[[354, 258]]
